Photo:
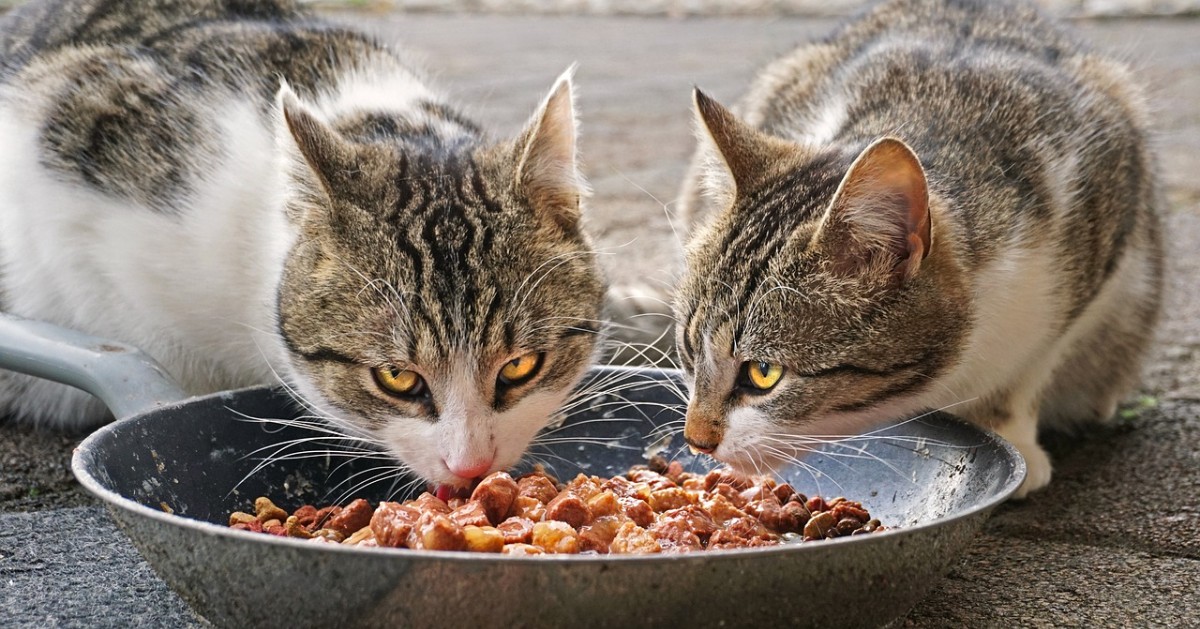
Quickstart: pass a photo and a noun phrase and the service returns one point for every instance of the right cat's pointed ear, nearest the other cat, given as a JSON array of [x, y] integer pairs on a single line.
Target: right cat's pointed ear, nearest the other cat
[[740, 155]]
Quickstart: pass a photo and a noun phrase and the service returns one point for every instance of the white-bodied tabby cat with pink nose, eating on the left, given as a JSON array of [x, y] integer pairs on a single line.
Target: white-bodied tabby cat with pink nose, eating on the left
[[241, 190]]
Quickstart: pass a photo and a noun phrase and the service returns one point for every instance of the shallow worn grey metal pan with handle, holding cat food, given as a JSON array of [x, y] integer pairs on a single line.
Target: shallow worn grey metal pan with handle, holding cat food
[[171, 471]]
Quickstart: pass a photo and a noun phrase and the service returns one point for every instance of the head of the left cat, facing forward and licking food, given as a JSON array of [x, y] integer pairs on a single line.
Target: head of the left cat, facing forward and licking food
[[441, 301]]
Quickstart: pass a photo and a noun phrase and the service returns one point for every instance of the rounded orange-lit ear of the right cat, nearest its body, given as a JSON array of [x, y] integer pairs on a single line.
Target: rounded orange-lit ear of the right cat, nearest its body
[[881, 212]]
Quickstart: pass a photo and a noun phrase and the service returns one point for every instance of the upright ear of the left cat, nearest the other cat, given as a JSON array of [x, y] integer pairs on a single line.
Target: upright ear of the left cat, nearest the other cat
[[548, 166]]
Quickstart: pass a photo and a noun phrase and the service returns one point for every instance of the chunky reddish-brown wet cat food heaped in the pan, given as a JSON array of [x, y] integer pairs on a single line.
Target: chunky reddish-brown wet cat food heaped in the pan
[[657, 508]]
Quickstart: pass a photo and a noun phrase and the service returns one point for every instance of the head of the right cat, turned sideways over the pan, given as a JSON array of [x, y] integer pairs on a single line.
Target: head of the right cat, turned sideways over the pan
[[824, 298]]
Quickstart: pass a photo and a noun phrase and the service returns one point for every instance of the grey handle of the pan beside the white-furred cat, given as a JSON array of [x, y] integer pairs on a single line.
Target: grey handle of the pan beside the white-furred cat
[[124, 378]]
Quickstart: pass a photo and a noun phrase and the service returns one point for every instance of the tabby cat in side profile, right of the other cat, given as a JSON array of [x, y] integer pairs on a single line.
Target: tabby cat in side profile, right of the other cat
[[946, 205]]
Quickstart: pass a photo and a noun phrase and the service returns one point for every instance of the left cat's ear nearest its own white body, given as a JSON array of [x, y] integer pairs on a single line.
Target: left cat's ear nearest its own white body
[[321, 159]]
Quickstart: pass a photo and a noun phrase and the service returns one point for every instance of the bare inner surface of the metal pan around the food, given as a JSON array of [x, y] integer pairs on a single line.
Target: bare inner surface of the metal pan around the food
[[211, 457]]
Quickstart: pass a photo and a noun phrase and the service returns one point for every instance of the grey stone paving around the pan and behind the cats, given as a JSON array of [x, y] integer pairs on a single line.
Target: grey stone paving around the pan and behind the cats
[[1115, 542]]
